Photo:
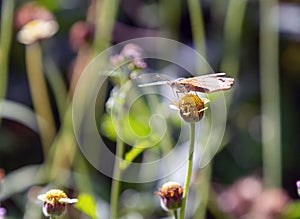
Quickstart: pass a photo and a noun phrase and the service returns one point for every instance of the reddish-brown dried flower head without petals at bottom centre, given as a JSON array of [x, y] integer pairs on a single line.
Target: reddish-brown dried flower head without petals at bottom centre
[[171, 195]]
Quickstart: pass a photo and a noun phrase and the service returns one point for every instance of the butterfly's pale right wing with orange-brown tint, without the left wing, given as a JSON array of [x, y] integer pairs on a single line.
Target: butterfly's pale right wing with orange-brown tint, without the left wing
[[208, 83]]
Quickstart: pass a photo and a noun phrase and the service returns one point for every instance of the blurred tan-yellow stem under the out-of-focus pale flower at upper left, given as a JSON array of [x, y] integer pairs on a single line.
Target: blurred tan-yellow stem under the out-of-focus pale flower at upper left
[[39, 93]]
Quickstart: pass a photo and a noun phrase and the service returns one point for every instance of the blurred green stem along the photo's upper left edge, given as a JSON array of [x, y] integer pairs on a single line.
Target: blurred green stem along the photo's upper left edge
[[5, 43]]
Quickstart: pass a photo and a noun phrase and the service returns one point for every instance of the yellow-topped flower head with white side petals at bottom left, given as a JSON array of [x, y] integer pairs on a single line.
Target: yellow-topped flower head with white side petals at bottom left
[[55, 201]]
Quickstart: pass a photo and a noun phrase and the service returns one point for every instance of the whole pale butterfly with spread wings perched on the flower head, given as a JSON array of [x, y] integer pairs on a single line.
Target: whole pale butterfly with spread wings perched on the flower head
[[204, 83]]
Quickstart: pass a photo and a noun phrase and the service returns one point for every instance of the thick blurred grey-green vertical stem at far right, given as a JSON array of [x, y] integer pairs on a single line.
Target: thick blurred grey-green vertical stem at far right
[[270, 94]]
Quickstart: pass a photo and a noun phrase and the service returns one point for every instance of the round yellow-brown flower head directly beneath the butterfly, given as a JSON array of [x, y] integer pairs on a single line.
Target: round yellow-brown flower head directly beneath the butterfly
[[191, 108]]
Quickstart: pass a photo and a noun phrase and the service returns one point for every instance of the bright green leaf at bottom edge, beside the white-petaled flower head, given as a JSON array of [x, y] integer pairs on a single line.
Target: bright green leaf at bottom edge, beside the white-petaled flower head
[[86, 203]]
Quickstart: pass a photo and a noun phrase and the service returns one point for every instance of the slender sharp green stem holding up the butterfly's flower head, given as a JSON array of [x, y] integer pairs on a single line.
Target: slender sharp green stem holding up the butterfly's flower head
[[189, 171]]
